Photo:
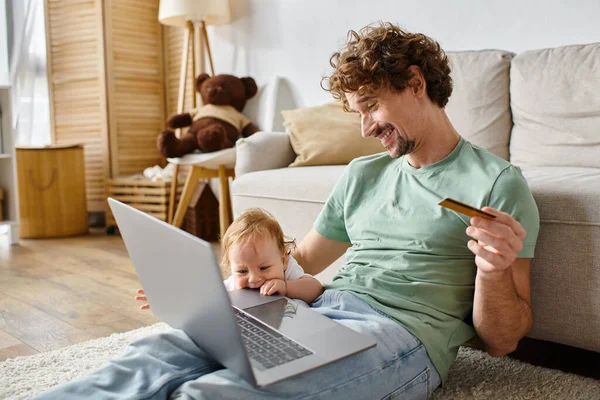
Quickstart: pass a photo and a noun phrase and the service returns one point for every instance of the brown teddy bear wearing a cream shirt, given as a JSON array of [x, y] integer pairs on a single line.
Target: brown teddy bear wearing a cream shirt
[[216, 125]]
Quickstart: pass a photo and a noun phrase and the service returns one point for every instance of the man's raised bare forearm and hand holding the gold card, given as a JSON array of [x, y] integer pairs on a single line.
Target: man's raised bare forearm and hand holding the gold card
[[502, 304]]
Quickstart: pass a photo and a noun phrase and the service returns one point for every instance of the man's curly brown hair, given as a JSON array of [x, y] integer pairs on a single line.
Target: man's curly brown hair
[[378, 58]]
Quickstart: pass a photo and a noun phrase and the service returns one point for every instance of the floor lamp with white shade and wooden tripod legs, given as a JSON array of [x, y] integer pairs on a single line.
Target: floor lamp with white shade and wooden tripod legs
[[187, 13]]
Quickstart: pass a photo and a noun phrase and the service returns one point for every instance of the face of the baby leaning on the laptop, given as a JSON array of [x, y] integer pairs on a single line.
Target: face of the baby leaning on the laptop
[[256, 261]]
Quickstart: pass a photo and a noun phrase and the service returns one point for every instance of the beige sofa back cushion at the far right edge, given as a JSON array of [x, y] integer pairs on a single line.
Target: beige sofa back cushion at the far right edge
[[555, 103]]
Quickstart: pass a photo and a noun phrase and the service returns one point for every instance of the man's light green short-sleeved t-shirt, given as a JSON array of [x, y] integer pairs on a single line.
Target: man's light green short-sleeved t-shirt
[[409, 256]]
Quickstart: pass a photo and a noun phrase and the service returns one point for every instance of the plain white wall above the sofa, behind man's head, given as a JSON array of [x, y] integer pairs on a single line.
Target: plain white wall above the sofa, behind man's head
[[295, 38]]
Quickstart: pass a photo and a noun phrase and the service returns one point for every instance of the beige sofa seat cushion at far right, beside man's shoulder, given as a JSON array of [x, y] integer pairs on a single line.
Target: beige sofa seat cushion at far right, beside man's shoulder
[[566, 195]]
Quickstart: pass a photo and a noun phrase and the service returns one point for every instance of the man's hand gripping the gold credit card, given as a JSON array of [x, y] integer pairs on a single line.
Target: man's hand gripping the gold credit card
[[498, 241]]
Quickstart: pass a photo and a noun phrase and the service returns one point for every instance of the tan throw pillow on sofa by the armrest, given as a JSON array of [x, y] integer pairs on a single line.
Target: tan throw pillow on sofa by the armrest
[[327, 135]]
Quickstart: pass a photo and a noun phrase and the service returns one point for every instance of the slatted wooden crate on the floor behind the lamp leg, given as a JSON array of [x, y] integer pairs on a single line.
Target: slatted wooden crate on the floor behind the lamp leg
[[141, 193]]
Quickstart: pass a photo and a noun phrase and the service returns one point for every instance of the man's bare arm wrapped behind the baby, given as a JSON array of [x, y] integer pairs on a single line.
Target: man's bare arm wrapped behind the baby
[[316, 252]]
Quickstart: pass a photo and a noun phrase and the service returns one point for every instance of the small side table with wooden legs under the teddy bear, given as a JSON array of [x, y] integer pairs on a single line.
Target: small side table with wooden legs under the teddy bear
[[219, 164]]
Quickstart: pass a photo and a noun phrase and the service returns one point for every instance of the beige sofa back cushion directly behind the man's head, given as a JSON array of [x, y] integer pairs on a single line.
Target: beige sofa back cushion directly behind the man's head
[[479, 106]]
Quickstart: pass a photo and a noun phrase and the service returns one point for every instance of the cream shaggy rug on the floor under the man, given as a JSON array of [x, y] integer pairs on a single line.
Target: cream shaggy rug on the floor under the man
[[474, 375]]
